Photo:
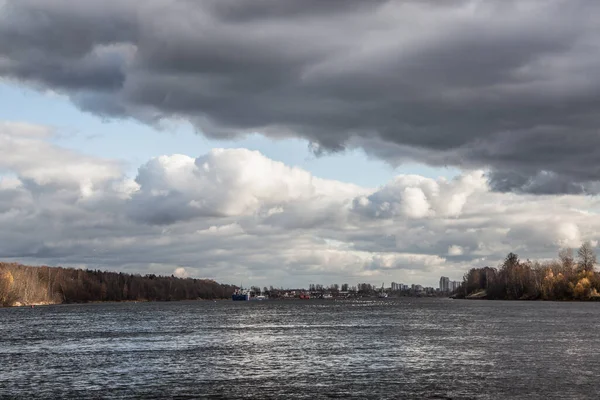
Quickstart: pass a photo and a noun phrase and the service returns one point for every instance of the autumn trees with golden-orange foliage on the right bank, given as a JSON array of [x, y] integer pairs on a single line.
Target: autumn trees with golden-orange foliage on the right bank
[[568, 278]]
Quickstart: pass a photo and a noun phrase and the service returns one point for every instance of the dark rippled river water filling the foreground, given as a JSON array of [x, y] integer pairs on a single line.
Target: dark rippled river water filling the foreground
[[405, 348]]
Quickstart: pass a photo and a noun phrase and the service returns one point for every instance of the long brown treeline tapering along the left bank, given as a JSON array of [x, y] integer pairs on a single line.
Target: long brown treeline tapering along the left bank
[[22, 285]]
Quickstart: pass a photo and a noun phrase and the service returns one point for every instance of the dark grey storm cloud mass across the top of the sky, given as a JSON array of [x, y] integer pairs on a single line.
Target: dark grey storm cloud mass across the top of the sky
[[509, 85]]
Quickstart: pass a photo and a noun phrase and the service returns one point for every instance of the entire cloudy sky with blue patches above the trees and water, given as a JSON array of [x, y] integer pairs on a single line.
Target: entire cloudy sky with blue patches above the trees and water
[[285, 143]]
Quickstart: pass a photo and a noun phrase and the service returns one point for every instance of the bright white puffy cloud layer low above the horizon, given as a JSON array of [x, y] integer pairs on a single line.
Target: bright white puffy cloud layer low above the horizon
[[236, 215]]
